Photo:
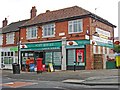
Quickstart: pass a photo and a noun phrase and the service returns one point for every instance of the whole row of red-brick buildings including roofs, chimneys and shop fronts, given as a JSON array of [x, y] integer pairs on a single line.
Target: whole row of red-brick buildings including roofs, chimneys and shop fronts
[[64, 37]]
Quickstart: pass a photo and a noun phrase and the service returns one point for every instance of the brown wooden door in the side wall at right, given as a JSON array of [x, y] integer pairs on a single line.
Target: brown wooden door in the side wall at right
[[98, 61]]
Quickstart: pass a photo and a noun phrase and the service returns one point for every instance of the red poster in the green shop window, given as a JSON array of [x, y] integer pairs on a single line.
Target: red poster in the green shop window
[[80, 55]]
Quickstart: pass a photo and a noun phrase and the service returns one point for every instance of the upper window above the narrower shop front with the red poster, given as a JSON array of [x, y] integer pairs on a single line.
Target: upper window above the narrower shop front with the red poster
[[75, 26]]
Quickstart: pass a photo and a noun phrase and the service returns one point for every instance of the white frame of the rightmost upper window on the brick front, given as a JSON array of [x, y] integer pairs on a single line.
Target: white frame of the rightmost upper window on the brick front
[[72, 24]]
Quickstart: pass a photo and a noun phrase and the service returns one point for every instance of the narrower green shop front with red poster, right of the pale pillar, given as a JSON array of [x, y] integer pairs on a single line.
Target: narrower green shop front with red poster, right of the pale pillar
[[76, 54]]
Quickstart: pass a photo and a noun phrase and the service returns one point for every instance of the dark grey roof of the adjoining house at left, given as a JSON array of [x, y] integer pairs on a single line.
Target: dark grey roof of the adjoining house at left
[[13, 26]]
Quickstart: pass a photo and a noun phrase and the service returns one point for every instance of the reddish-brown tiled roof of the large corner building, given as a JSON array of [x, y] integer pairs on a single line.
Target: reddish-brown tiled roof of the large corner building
[[62, 14]]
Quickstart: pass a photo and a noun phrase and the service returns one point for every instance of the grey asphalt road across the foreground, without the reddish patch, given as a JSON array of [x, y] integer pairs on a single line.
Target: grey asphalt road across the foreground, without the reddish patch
[[53, 85]]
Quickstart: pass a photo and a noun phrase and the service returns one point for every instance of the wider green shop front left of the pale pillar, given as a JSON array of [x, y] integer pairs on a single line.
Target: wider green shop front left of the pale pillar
[[50, 52]]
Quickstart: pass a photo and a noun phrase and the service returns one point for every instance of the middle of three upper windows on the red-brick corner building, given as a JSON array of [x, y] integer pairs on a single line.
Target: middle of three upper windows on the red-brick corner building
[[49, 30]]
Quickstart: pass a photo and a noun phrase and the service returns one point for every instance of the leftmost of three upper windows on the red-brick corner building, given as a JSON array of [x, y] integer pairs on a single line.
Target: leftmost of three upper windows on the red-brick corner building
[[32, 32]]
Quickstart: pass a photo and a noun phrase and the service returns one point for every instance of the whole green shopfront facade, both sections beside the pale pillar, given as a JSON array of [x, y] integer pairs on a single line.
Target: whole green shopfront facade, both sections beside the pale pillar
[[51, 52]]
